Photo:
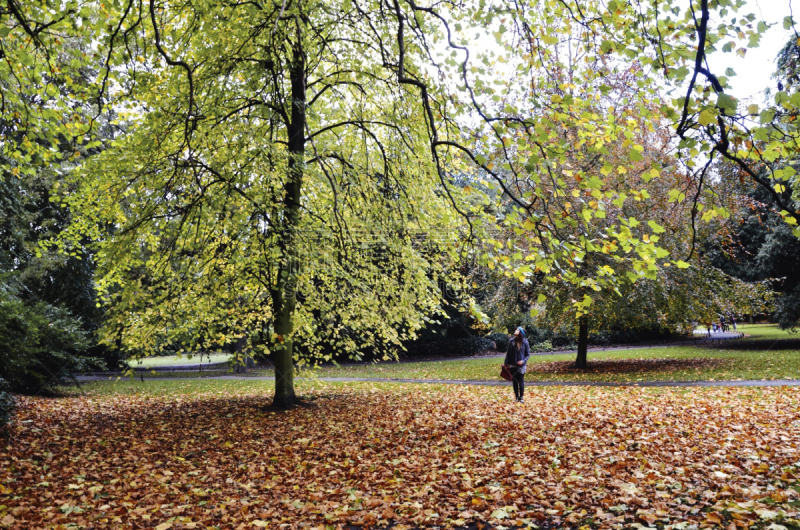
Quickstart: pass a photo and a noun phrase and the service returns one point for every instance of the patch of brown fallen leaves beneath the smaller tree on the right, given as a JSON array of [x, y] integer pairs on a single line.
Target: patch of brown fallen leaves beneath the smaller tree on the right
[[627, 366]]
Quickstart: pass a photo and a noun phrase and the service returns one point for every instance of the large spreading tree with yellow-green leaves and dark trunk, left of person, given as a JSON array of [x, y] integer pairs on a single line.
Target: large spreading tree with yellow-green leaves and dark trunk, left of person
[[273, 185]]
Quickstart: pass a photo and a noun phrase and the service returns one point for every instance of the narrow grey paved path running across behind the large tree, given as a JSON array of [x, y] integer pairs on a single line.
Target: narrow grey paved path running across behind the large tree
[[741, 383]]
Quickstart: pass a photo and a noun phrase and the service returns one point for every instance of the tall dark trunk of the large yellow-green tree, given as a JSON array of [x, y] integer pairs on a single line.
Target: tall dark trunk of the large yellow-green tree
[[284, 296]]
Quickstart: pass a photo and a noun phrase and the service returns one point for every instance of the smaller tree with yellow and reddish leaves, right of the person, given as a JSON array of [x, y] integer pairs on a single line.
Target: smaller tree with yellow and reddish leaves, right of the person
[[573, 171]]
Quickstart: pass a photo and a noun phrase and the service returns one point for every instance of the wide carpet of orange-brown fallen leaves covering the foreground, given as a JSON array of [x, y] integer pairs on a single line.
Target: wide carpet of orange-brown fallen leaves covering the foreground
[[411, 456]]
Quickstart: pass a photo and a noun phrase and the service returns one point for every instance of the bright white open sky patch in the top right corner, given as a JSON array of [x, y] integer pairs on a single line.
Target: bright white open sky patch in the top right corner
[[754, 70]]
